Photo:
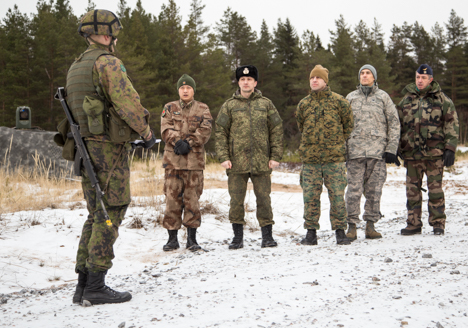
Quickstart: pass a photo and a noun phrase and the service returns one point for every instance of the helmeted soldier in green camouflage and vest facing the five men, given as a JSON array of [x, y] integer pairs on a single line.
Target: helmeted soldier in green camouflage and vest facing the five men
[[108, 110]]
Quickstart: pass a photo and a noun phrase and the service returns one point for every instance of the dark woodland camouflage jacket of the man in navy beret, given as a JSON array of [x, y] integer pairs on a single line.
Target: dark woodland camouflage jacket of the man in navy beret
[[429, 123]]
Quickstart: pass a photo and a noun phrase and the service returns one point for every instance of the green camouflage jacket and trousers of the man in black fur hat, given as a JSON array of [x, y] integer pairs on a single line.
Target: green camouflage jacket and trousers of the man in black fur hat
[[249, 133]]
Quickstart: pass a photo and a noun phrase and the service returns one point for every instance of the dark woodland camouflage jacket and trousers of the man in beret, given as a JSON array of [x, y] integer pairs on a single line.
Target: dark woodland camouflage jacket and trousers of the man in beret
[[429, 125]]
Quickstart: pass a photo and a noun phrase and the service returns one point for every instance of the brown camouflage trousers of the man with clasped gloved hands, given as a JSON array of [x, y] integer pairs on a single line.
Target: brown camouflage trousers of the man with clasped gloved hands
[[183, 189]]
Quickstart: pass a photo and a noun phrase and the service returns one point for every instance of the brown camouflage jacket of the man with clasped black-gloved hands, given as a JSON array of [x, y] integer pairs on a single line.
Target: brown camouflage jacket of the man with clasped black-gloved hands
[[190, 121]]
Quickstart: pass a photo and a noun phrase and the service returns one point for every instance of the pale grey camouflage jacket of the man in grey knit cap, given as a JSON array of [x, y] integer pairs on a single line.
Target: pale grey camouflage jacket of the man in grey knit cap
[[376, 125]]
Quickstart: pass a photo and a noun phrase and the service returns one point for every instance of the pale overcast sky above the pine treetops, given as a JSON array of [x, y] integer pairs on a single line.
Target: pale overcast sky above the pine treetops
[[317, 16]]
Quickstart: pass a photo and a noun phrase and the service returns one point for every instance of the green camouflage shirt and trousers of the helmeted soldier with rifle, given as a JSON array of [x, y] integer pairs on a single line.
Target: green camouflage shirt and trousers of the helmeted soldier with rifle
[[110, 161]]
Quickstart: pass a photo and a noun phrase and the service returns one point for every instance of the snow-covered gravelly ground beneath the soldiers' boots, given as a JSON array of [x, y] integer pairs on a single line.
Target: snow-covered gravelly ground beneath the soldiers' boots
[[419, 281]]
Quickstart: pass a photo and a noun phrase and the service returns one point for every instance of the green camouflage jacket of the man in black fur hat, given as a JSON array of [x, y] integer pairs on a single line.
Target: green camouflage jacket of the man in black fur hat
[[249, 133]]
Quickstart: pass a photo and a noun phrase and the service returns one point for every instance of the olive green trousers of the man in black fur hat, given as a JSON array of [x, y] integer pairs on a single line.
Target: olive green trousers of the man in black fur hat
[[237, 186]]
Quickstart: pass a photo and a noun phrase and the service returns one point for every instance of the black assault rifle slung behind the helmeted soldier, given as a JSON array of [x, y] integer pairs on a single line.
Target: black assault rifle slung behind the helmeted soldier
[[82, 150]]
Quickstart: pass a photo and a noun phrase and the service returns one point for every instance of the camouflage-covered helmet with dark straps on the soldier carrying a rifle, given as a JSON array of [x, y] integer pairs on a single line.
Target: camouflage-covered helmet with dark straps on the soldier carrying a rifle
[[99, 22]]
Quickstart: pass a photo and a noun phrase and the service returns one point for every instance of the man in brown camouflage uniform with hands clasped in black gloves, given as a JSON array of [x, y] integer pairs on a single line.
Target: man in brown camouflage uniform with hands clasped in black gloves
[[185, 128]]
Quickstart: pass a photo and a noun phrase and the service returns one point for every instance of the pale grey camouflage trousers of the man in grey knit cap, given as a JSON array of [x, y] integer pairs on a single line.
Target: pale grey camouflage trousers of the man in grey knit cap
[[365, 176]]
